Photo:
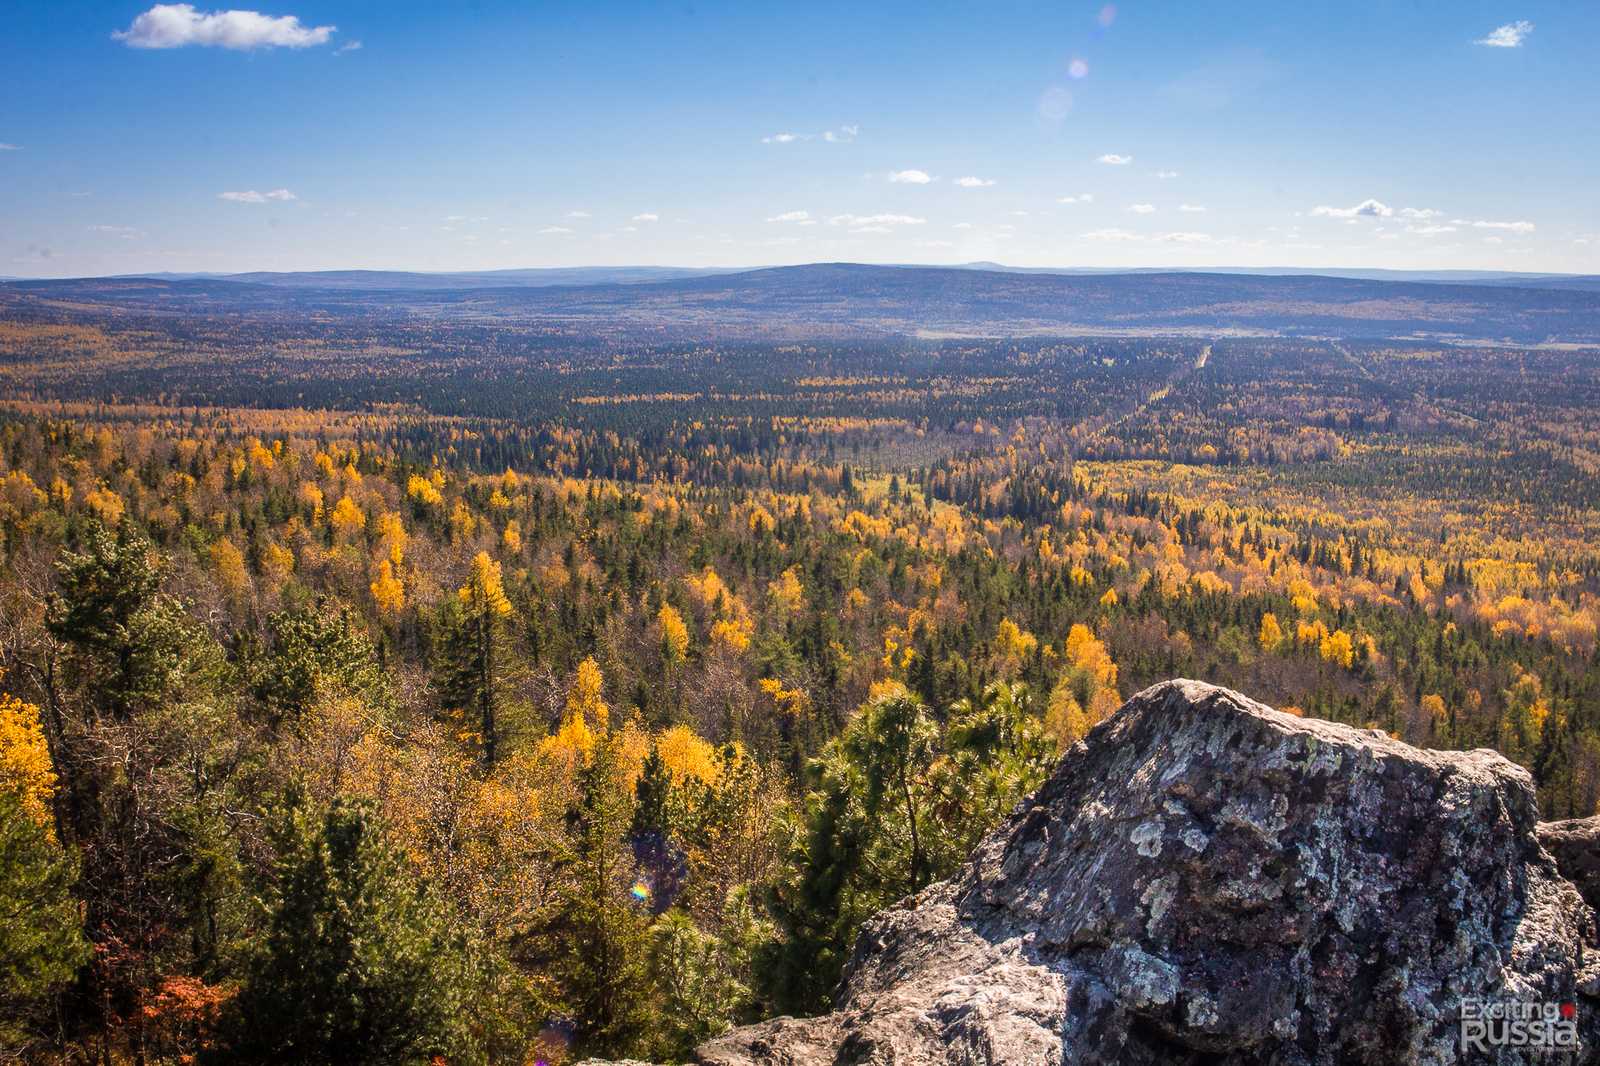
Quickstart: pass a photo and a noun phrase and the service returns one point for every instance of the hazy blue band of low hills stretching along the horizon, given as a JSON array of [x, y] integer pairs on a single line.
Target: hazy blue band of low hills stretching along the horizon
[[878, 300]]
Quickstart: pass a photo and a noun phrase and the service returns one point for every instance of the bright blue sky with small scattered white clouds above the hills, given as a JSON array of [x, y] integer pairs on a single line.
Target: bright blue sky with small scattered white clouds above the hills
[[439, 137]]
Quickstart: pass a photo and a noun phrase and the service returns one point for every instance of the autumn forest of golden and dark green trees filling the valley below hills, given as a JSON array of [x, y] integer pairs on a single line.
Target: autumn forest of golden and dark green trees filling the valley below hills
[[385, 691]]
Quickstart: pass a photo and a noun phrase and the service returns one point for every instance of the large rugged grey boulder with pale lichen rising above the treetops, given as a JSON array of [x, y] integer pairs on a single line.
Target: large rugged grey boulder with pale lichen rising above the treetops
[[1210, 881]]
